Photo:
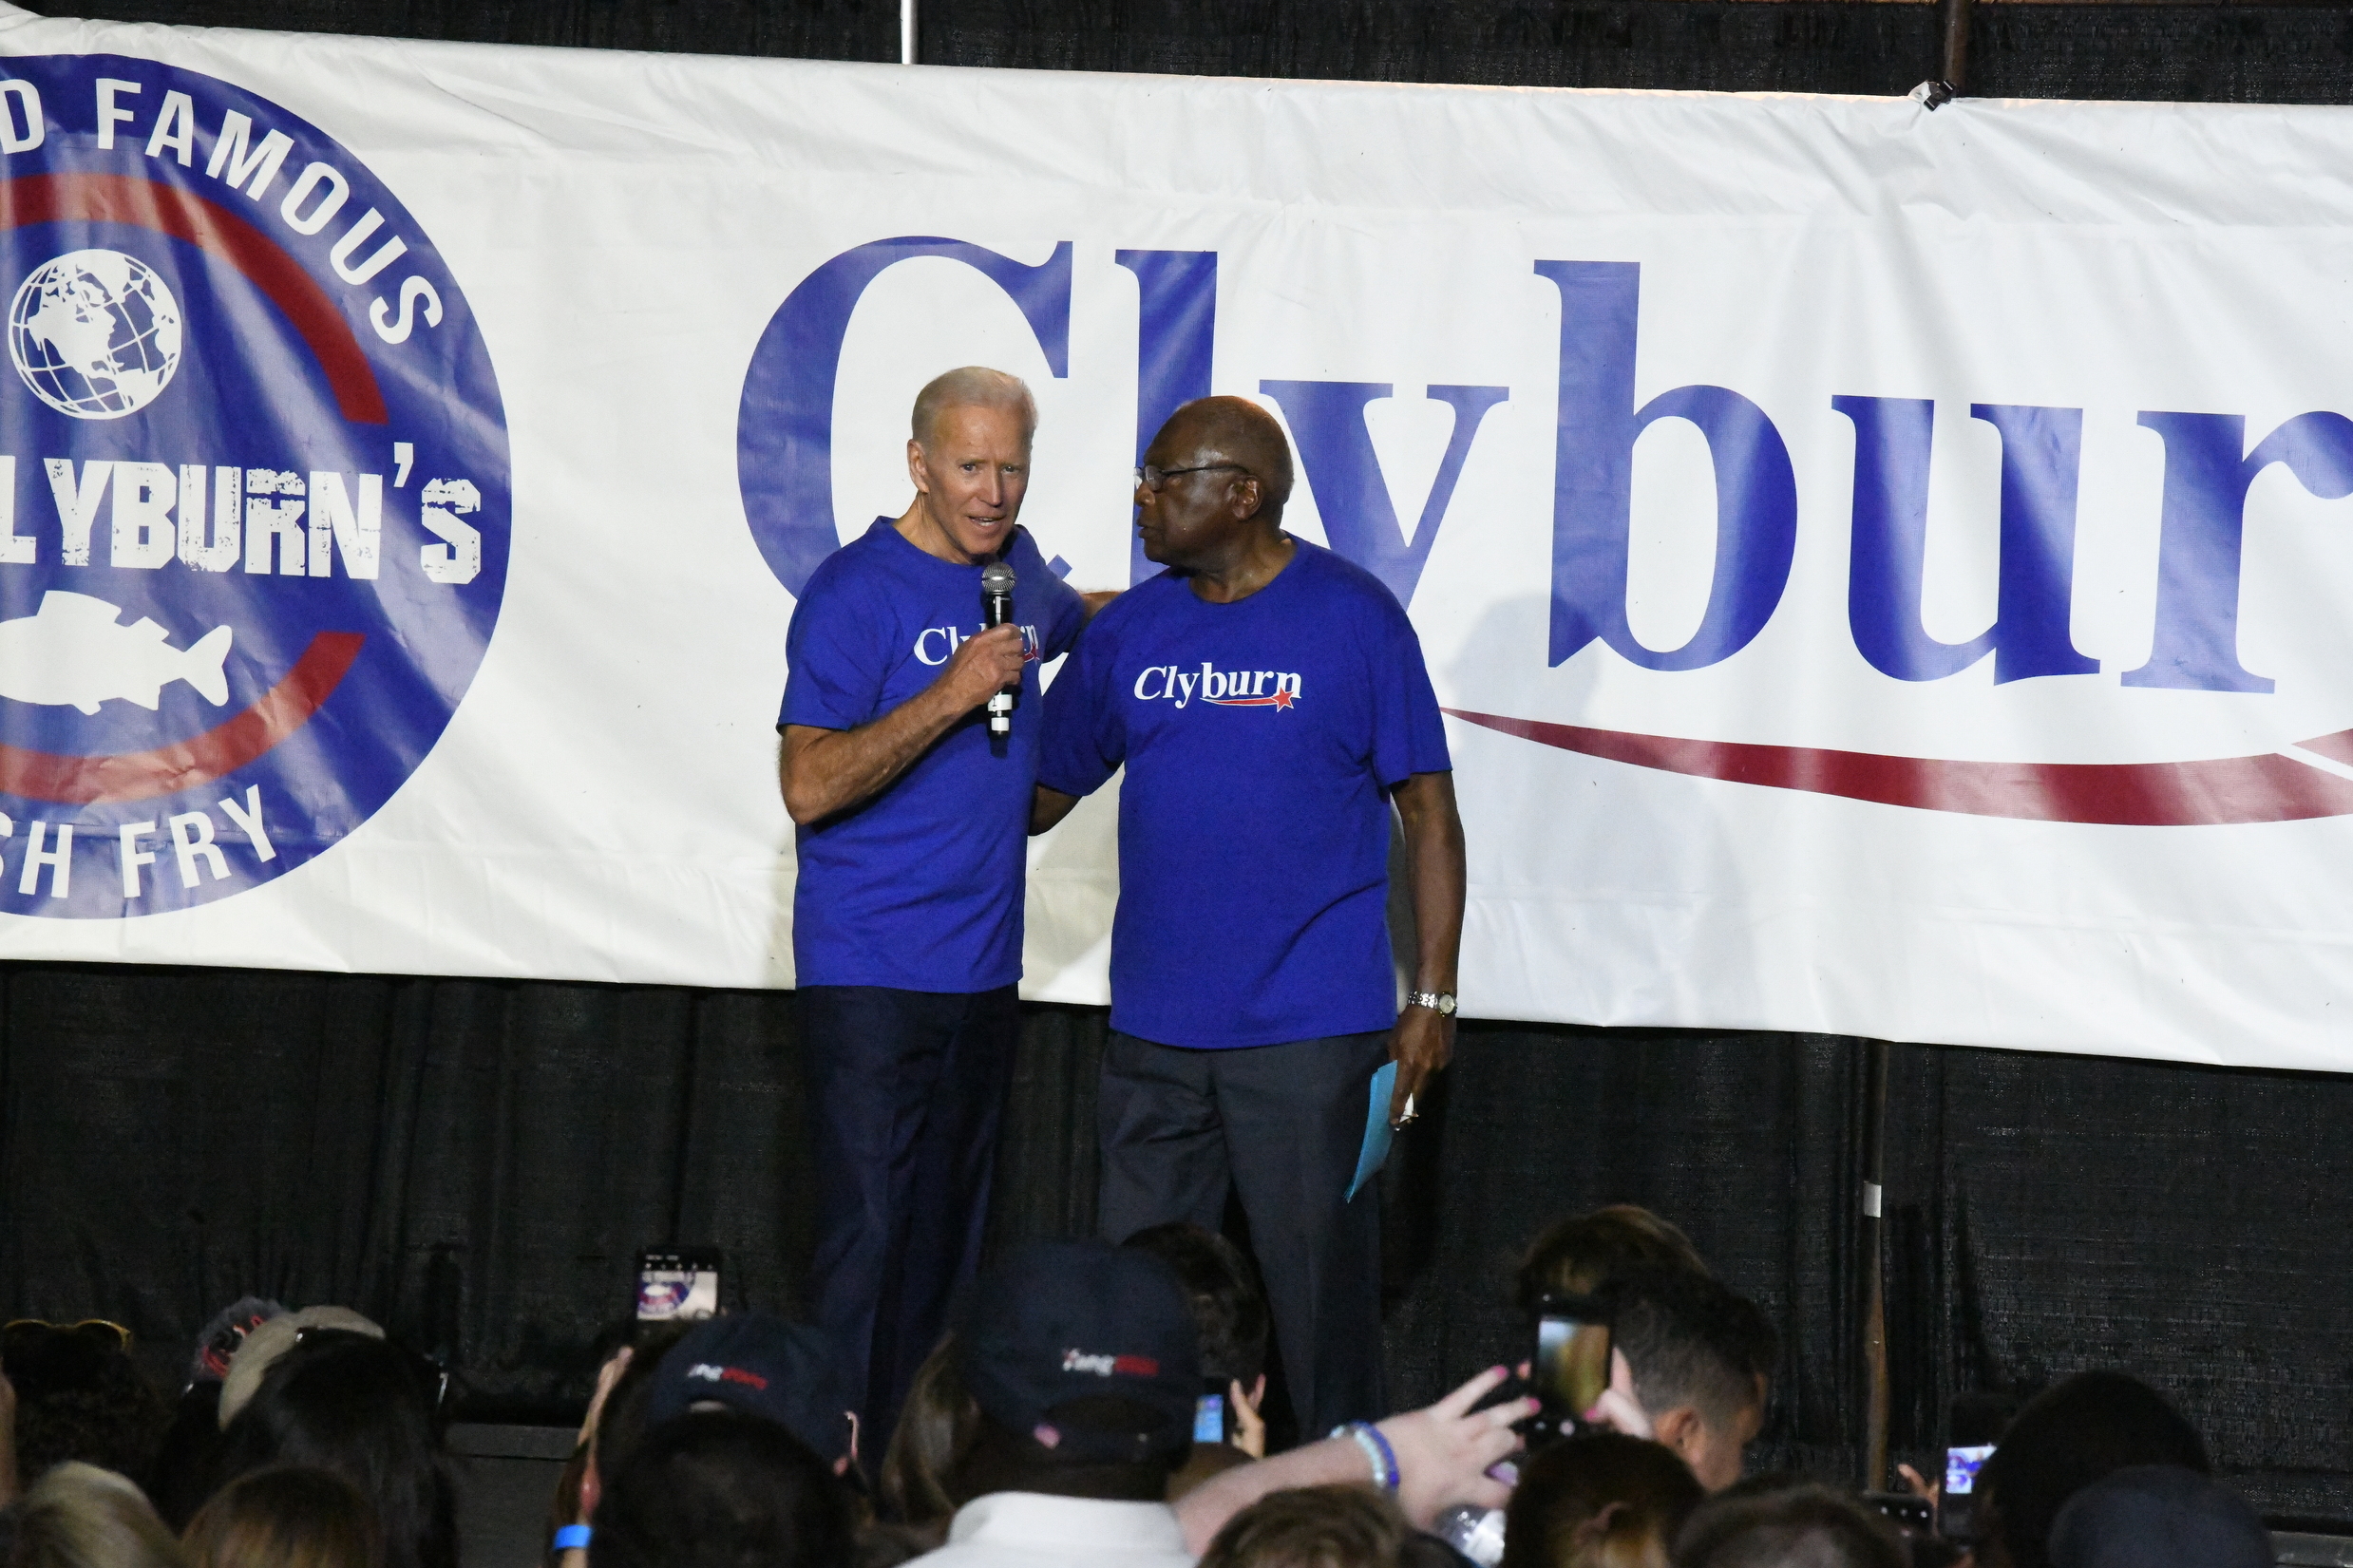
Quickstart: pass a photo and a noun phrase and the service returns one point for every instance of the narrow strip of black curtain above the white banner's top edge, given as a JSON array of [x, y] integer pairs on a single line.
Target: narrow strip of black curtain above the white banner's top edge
[[2185, 53]]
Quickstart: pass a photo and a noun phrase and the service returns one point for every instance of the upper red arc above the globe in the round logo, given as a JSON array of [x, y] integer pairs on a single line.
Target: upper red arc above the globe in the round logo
[[218, 232]]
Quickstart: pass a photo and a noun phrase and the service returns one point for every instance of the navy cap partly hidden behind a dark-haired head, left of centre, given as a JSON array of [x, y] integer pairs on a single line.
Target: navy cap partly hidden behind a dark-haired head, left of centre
[[759, 1365]]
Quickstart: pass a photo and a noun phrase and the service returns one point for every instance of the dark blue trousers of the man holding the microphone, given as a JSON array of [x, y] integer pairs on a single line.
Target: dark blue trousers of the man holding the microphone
[[907, 1092]]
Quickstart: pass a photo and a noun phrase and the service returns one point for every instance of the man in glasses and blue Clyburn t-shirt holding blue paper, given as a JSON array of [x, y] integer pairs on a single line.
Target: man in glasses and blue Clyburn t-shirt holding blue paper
[[1269, 704]]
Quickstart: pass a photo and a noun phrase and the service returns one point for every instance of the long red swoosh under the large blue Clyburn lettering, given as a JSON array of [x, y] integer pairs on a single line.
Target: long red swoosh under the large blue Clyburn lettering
[[2208, 791]]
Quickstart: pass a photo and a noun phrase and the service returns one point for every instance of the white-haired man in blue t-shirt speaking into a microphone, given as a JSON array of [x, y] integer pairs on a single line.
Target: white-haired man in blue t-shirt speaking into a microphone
[[907, 916]]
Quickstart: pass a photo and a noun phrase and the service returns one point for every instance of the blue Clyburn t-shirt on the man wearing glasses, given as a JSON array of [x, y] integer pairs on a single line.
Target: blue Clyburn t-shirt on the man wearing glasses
[[1260, 739]]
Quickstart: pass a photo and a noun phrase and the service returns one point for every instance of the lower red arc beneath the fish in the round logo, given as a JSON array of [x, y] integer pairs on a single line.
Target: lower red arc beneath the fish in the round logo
[[185, 765]]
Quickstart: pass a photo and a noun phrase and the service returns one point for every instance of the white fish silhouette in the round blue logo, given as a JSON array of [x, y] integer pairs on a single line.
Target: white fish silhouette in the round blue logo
[[72, 650]]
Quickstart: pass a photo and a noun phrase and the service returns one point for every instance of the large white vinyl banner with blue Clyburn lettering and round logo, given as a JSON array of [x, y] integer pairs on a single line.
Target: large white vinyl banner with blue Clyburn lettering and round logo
[[1888, 568]]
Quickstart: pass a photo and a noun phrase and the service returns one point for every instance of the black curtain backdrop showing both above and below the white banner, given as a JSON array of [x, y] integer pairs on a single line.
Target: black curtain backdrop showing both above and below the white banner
[[476, 1162]]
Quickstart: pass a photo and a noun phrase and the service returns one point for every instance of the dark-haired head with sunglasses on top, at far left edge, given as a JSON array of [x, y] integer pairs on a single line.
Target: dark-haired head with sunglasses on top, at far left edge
[[81, 1398]]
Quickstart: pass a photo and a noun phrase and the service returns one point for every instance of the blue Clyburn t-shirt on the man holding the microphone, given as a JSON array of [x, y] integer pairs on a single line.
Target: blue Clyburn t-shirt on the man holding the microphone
[[916, 887]]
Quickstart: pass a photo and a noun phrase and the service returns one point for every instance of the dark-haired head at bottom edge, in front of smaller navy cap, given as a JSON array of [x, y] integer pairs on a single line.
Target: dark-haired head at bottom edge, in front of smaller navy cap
[[721, 1489]]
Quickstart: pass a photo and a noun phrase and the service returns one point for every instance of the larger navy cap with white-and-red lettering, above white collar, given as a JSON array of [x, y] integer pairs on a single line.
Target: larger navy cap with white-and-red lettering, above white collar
[[1084, 1320]]
